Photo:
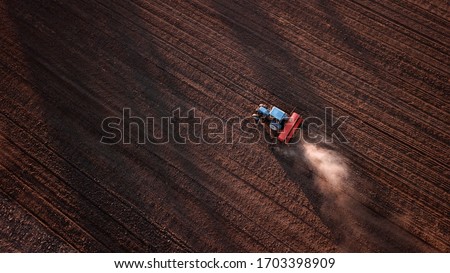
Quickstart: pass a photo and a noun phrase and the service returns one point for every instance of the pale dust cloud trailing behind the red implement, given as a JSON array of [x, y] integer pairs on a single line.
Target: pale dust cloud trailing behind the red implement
[[356, 228]]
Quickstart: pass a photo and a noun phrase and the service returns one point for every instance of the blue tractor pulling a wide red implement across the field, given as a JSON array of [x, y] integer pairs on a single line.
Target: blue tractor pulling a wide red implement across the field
[[282, 126]]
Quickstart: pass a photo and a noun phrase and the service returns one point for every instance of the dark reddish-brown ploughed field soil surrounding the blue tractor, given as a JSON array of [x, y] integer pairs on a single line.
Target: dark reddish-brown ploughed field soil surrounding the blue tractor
[[67, 65]]
